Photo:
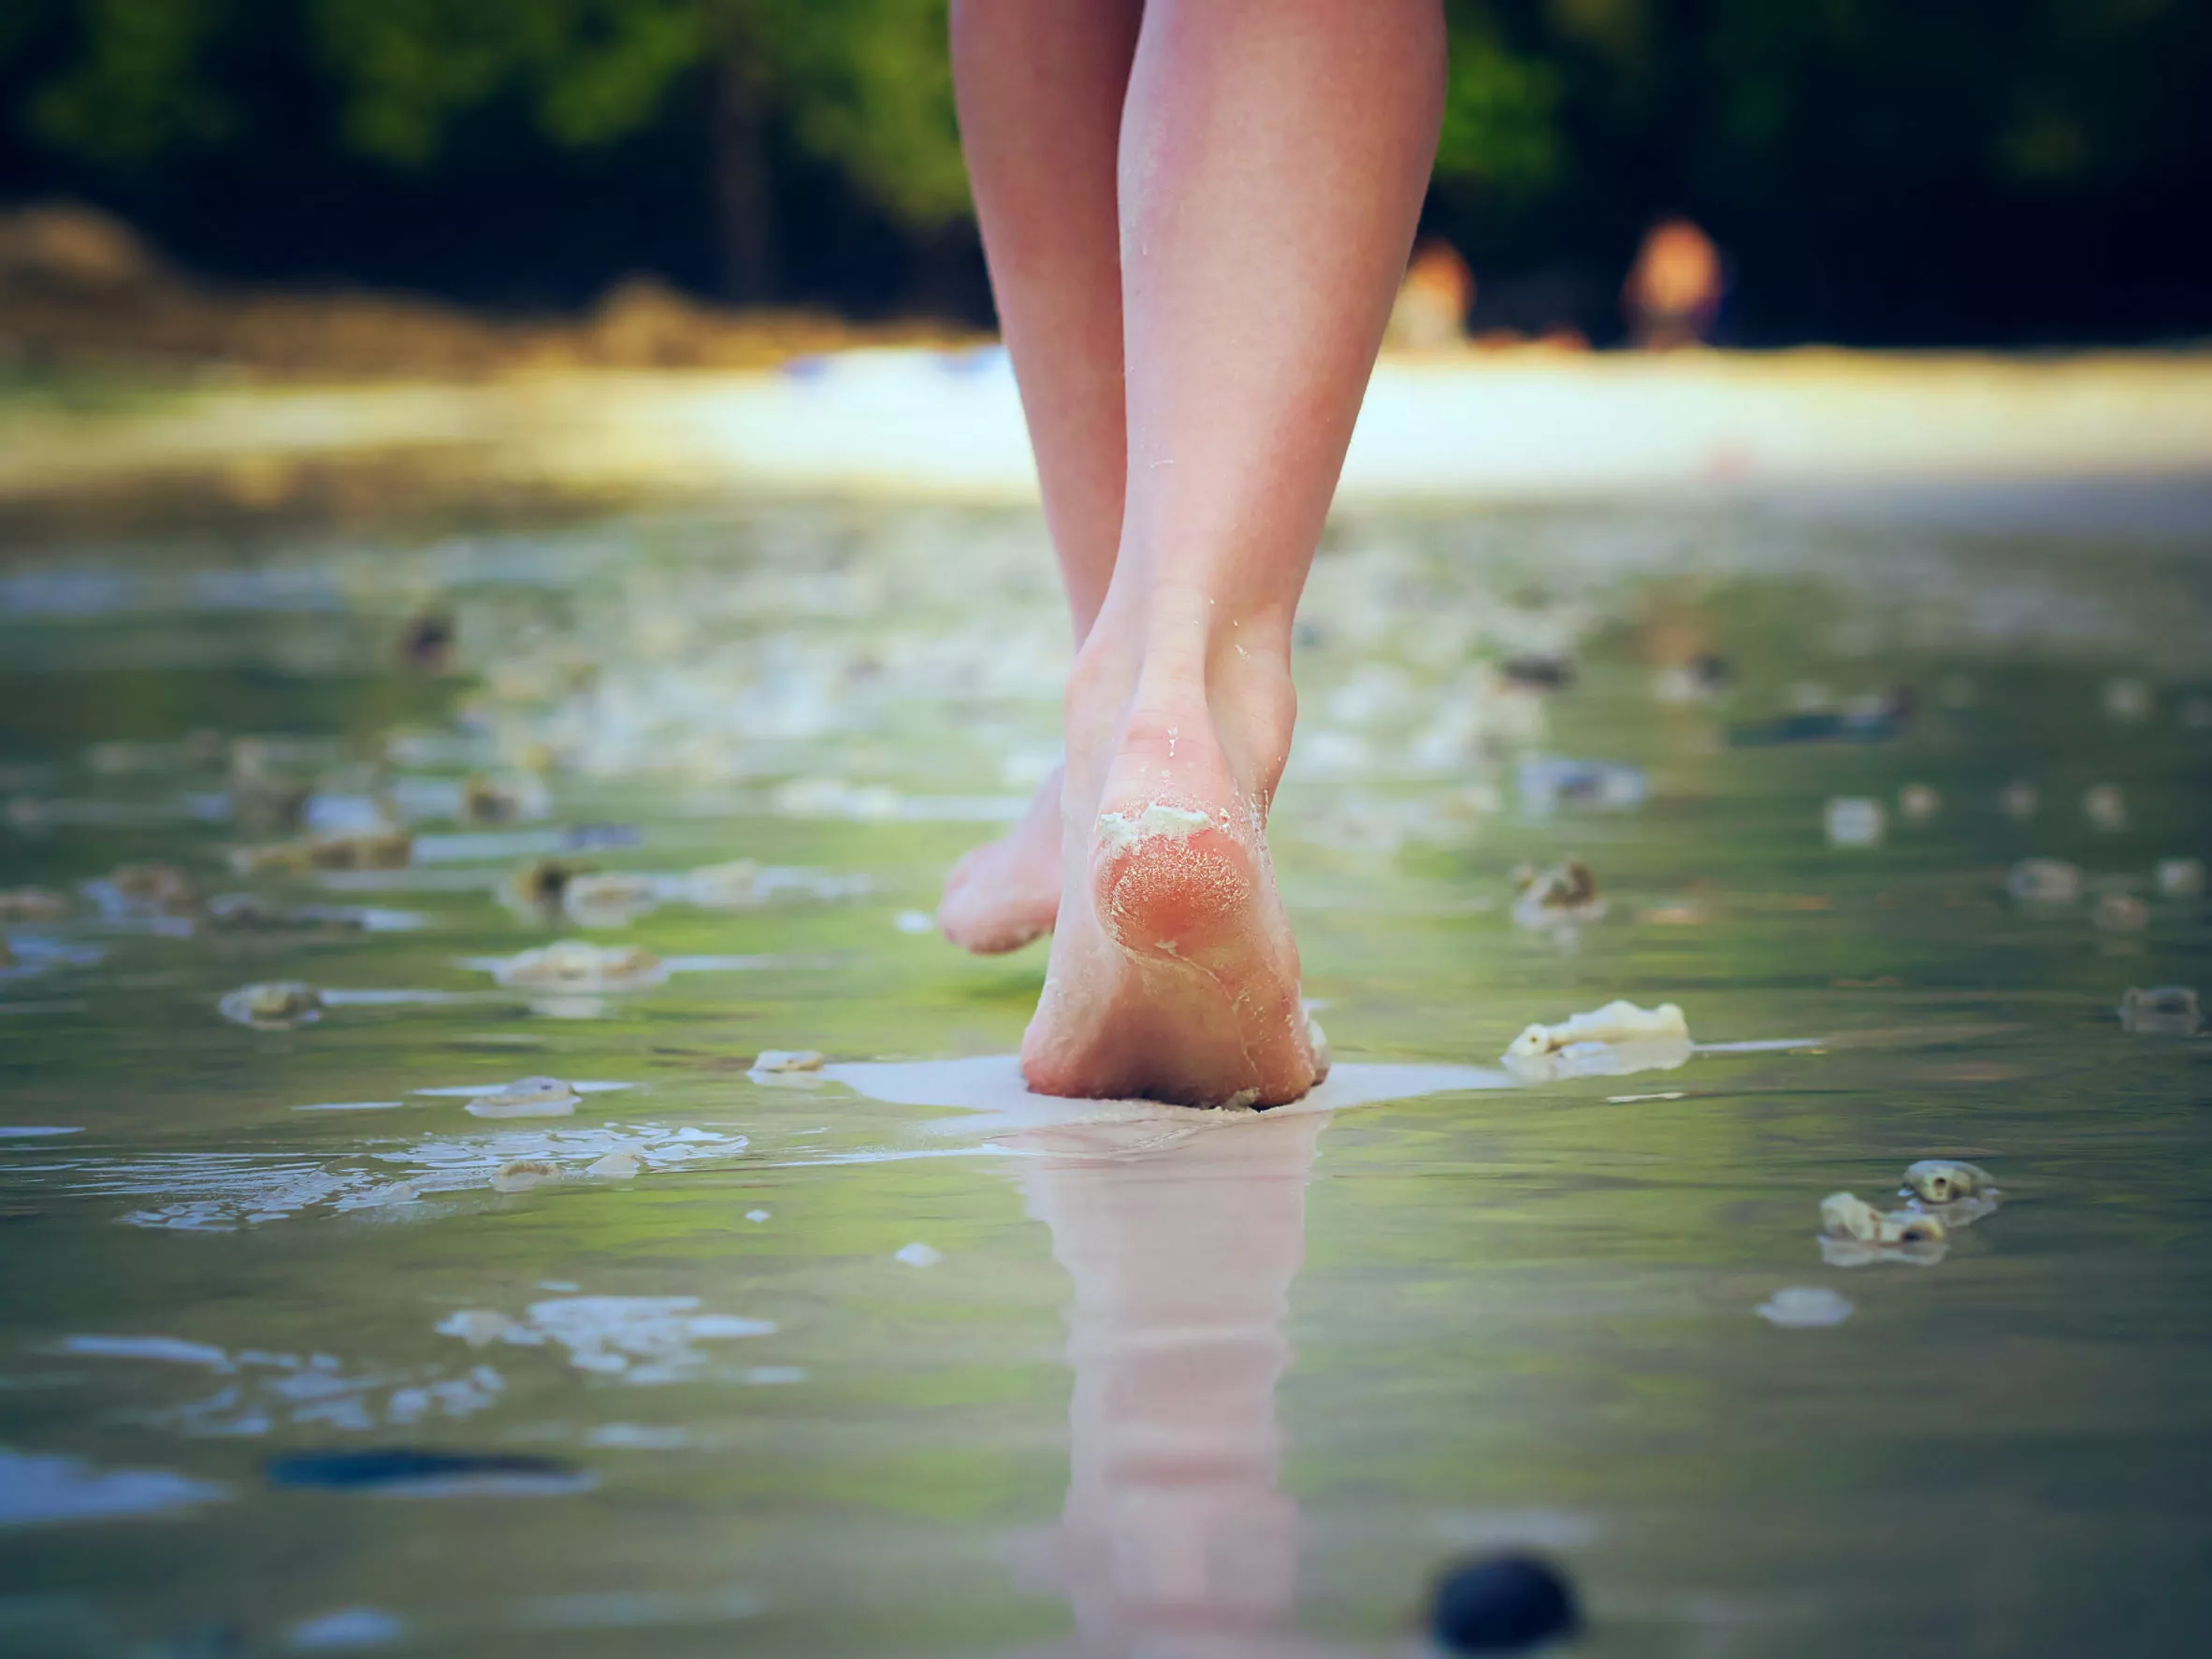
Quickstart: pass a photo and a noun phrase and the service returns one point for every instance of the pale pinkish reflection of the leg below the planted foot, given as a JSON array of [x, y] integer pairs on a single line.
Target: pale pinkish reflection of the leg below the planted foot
[[1178, 1536]]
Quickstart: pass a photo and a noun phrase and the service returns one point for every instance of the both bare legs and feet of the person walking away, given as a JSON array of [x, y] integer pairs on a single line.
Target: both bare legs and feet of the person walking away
[[1196, 218]]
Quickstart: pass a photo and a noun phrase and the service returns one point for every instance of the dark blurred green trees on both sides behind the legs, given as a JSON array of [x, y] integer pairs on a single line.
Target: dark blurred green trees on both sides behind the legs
[[1826, 143]]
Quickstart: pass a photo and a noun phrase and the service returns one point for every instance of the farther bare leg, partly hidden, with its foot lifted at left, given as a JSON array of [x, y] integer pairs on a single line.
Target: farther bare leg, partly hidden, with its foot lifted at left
[[1041, 116]]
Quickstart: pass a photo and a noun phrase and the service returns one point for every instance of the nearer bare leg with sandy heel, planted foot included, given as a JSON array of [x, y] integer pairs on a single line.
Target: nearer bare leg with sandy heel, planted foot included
[[1273, 165]]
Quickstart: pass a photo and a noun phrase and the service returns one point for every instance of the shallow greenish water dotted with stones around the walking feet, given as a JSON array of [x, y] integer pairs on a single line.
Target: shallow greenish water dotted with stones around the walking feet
[[890, 1359]]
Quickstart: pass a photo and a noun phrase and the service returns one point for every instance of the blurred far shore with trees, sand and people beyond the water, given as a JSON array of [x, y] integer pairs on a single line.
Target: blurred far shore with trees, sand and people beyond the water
[[351, 258]]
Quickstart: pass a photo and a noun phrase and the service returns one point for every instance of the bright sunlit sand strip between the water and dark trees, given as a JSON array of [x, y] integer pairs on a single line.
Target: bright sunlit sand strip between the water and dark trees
[[919, 424]]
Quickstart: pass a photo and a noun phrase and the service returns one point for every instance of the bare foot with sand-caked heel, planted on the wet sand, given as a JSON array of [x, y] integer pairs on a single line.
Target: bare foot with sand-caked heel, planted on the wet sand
[[1173, 970]]
